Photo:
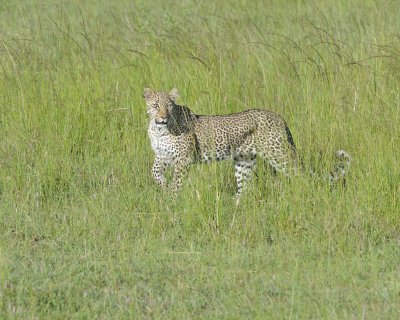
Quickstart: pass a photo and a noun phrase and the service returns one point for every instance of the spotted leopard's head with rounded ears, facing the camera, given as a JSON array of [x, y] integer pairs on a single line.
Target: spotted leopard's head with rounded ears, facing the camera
[[159, 105]]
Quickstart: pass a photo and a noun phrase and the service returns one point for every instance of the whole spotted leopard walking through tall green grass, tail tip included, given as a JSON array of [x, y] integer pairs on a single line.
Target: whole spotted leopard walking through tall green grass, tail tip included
[[179, 137]]
